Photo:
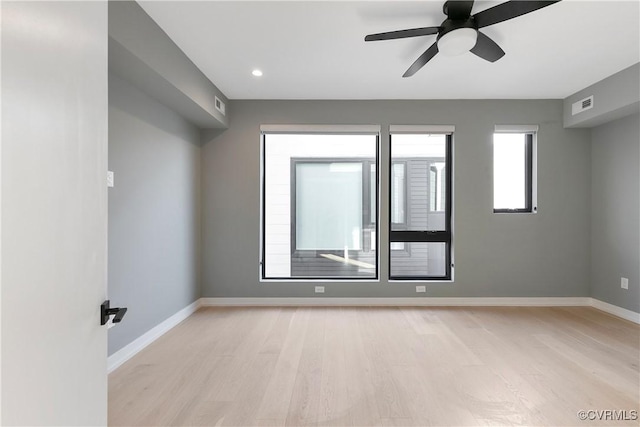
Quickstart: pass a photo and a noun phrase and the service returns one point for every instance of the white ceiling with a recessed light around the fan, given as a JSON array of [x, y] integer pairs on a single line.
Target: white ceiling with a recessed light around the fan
[[316, 50]]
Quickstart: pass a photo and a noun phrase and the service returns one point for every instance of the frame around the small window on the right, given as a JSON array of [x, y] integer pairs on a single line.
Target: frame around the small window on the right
[[530, 178]]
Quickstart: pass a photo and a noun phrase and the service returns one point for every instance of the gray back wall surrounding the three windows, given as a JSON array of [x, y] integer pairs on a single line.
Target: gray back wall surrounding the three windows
[[543, 254]]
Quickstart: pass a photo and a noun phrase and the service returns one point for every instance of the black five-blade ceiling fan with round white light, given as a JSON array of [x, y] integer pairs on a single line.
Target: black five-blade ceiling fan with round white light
[[459, 32]]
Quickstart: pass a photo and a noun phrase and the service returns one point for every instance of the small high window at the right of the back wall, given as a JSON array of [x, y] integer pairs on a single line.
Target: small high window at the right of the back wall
[[513, 172]]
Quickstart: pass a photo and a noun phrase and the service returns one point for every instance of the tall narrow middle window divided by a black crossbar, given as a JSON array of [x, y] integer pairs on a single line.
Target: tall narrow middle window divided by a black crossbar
[[420, 204]]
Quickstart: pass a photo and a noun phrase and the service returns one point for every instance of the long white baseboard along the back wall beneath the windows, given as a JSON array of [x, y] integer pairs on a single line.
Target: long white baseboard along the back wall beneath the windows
[[429, 301]]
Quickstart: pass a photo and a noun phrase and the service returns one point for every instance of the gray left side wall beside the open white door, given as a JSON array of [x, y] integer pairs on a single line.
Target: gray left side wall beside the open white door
[[154, 211]]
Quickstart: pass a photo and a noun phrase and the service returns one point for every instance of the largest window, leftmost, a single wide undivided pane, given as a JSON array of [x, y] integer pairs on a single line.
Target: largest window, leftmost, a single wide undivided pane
[[320, 205]]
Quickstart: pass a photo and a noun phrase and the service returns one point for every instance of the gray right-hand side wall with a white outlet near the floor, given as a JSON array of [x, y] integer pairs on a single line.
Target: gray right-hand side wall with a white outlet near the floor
[[615, 207]]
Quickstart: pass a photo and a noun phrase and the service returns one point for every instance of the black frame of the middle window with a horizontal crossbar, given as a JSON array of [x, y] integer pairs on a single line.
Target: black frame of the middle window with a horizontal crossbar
[[426, 236]]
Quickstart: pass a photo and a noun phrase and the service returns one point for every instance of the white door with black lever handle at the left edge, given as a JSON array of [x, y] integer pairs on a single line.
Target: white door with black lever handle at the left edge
[[53, 212]]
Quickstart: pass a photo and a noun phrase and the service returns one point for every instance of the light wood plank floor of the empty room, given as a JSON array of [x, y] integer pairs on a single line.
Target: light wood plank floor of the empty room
[[383, 366]]
